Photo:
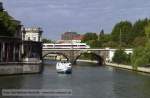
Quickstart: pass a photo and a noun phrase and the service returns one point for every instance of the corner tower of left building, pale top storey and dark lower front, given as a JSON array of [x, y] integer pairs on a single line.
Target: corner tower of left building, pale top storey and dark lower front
[[32, 43]]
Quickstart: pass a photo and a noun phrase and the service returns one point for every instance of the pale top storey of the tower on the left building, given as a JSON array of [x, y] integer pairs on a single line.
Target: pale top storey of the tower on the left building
[[32, 34]]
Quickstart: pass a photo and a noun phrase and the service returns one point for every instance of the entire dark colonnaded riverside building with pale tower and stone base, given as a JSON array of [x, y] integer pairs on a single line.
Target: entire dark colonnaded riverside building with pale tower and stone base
[[21, 51]]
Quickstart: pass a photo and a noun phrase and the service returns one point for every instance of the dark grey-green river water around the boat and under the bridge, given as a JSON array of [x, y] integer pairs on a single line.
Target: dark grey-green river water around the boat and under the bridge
[[85, 82]]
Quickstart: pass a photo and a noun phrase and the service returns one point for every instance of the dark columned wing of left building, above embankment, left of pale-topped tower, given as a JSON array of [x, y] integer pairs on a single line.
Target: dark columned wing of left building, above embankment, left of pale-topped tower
[[10, 46]]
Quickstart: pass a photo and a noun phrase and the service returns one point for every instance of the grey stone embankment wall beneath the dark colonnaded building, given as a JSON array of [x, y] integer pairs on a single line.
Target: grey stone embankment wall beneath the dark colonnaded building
[[20, 68]]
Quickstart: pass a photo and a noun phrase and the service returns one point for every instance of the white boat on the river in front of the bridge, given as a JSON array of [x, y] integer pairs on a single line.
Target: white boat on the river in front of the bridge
[[64, 67]]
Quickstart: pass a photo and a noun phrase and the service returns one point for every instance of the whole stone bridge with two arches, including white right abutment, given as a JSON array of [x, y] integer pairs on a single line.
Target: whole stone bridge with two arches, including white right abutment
[[72, 55]]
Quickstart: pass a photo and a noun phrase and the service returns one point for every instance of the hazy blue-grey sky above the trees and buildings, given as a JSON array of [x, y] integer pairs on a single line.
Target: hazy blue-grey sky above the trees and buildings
[[58, 16]]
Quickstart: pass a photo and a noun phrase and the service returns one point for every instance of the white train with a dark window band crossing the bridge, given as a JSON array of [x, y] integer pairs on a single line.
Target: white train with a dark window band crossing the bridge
[[65, 46]]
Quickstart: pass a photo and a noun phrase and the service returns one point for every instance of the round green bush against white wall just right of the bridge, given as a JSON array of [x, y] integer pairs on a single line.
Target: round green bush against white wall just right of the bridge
[[120, 57]]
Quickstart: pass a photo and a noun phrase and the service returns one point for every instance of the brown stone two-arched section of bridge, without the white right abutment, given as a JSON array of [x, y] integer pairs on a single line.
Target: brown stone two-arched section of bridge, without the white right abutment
[[73, 55]]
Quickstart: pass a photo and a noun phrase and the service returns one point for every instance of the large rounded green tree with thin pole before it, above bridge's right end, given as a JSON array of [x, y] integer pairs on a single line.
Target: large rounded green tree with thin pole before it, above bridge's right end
[[122, 31]]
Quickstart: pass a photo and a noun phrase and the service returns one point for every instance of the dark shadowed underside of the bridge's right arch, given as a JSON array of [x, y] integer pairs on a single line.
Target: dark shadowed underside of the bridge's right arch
[[97, 57]]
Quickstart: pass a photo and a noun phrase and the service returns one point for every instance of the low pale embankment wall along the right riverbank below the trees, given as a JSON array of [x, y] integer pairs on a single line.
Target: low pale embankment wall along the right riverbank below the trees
[[129, 67]]
